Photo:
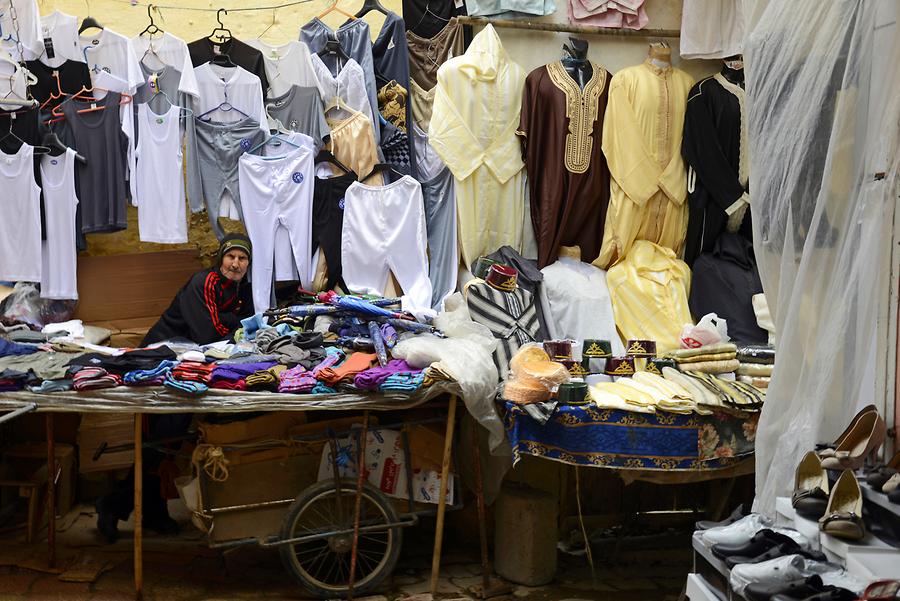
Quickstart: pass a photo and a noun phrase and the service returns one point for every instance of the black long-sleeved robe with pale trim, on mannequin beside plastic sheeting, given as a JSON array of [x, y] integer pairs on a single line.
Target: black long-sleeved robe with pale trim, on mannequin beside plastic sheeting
[[711, 146]]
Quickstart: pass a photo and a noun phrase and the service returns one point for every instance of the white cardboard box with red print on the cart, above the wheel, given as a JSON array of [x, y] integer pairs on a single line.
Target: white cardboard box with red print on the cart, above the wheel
[[385, 467]]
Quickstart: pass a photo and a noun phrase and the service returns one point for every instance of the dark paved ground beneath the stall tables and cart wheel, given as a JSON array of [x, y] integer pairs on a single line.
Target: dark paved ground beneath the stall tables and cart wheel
[[184, 568]]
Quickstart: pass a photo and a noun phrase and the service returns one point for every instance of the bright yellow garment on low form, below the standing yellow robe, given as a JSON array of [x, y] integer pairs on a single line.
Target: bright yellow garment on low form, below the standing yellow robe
[[649, 293]]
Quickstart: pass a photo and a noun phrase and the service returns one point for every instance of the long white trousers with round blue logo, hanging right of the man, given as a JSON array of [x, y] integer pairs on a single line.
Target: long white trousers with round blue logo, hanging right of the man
[[277, 191]]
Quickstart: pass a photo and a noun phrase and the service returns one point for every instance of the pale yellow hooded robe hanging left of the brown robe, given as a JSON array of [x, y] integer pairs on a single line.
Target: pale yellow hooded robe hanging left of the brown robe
[[477, 102]]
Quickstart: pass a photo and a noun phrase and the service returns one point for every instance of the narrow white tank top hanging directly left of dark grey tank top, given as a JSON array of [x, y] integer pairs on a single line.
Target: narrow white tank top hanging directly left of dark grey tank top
[[58, 277]]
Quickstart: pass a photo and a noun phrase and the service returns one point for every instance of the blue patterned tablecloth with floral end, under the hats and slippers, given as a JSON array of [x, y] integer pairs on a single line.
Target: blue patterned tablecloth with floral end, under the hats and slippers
[[587, 435]]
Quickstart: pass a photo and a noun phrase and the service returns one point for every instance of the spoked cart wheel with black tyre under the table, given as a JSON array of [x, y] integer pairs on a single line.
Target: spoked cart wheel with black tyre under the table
[[323, 565]]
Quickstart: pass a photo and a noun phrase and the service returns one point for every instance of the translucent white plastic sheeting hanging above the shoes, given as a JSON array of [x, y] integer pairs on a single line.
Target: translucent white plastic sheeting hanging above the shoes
[[823, 117]]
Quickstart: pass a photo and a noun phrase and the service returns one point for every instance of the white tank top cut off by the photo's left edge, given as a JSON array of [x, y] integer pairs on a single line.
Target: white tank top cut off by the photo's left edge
[[20, 226]]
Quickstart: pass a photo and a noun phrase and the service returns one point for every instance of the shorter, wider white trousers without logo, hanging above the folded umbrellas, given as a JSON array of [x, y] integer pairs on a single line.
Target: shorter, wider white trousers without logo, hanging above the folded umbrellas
[[383, 232]]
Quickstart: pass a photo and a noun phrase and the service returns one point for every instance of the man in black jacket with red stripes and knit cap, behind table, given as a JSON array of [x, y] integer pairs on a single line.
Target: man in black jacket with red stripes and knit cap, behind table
[[209, 307]]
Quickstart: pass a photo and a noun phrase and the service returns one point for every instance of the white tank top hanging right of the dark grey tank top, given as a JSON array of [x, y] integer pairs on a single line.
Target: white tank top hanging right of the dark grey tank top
[[159, 183]]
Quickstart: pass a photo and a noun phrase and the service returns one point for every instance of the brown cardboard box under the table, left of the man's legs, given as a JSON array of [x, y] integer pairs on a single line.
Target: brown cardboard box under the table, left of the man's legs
[[114, 429]]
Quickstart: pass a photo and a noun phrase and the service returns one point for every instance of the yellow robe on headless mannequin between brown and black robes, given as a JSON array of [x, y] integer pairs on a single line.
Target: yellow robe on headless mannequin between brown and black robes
[[642, 143]]
